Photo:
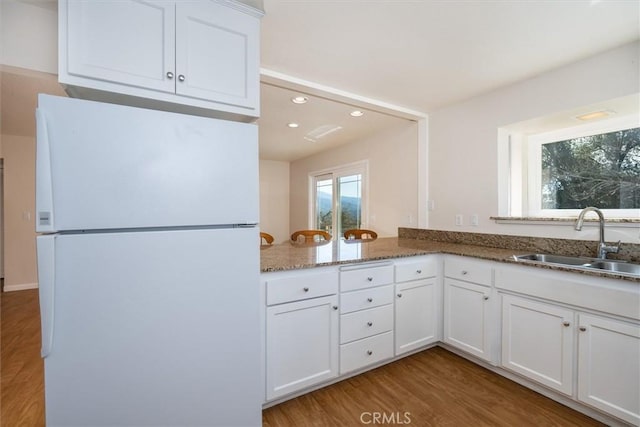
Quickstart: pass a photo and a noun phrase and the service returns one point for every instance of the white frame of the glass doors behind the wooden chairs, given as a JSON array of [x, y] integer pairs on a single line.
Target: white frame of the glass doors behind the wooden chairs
[[359, 167]]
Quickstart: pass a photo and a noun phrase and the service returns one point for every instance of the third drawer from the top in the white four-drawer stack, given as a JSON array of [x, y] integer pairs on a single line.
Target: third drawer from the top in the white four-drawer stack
[[365, 323]]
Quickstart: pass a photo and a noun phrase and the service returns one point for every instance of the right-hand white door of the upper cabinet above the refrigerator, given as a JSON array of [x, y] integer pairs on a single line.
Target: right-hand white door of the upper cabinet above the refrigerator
[[217, 54]]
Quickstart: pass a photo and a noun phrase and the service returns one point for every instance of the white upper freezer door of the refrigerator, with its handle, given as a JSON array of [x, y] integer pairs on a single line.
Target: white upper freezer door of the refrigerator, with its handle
[[104, 166]]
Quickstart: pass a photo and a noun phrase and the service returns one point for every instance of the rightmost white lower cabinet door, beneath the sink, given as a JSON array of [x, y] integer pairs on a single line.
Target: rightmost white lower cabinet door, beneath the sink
[[609, 366]]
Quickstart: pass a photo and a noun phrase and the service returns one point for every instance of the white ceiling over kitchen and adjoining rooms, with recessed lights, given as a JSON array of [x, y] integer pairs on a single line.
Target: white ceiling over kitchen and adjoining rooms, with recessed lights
[[416, 55]]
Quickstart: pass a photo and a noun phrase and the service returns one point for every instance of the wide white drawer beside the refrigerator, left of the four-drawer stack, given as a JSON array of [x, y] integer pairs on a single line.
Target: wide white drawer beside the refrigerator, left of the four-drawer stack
[[301, 286]]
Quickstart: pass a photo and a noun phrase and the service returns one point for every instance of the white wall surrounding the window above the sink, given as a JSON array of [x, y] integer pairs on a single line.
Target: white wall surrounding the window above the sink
[[463, 147]]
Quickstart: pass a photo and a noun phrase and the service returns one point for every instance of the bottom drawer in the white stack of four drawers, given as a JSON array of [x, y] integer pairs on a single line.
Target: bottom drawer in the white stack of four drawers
[[359, 354]]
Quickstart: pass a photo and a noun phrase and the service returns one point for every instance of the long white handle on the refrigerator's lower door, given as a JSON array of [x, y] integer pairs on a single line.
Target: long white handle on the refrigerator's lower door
[[46, 289]]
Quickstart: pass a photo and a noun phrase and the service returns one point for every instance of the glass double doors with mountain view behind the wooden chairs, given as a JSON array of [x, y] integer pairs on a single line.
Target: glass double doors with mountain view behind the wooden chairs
[[338, 198]]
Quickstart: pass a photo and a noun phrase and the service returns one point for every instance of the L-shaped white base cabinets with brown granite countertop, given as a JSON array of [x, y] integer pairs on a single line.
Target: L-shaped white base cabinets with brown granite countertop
[[334, 310]]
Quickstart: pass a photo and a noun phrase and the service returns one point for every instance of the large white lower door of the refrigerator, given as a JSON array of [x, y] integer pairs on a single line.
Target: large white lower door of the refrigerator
[[152, 328]]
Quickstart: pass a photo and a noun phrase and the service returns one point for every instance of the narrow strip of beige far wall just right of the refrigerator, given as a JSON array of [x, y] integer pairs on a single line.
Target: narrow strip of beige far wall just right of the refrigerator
[[274, 199]]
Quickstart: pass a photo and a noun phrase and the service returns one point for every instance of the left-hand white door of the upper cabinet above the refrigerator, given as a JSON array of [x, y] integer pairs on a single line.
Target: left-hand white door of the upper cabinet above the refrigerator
[[128, 41]]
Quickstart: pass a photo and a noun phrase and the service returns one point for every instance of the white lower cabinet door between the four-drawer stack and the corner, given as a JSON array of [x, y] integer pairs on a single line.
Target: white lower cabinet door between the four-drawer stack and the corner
[[416, 315]]
